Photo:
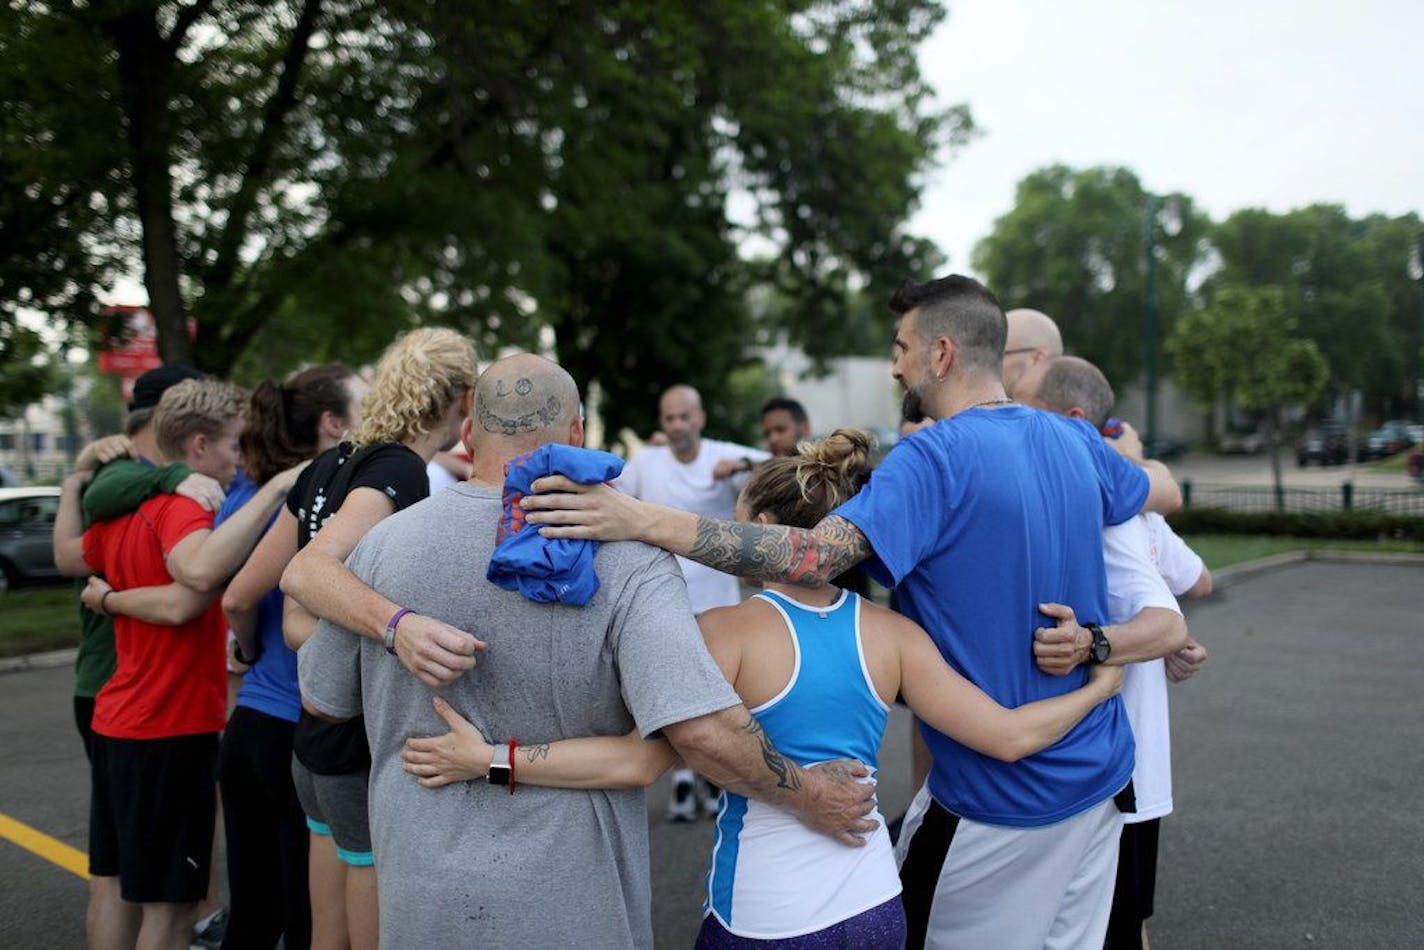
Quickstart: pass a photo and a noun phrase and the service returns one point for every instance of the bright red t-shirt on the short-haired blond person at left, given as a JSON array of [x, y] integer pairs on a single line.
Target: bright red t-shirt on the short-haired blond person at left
[[170, 680]]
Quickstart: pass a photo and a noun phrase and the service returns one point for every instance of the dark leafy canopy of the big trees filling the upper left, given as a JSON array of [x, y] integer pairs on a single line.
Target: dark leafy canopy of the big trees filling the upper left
[[310, 177]]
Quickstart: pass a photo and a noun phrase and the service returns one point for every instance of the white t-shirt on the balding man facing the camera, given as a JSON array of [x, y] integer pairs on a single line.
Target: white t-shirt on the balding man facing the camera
[[656, 475]]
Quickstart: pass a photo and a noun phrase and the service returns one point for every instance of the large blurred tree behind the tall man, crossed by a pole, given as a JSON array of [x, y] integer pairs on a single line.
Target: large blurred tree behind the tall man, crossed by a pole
[[1074, 247]]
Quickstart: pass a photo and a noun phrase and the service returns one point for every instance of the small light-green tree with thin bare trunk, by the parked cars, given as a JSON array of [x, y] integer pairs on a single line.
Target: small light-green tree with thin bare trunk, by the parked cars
[[1244, 348]]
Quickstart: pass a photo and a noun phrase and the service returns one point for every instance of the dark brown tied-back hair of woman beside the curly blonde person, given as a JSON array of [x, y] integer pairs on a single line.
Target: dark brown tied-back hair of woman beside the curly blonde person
[[284, 418]]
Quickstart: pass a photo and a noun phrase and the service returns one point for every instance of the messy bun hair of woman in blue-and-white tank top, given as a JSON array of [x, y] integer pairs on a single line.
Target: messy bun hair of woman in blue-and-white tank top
[[801, 491]]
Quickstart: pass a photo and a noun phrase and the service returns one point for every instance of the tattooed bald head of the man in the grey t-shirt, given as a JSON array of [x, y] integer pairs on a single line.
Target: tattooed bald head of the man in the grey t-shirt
[[523, 402]]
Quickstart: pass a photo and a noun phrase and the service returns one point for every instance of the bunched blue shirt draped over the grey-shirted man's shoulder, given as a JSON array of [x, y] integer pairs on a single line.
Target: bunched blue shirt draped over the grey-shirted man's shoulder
[[548, 570]]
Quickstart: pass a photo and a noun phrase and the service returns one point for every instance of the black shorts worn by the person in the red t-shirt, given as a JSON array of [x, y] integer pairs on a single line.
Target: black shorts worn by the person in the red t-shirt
[[152, 815]]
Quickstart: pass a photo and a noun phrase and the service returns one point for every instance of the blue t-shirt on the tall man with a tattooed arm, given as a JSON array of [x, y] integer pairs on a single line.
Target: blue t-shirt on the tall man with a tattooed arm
[[978, 521]]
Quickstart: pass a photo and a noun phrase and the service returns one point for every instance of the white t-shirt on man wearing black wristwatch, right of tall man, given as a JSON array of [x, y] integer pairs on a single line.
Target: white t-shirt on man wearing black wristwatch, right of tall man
[[1136, 583]]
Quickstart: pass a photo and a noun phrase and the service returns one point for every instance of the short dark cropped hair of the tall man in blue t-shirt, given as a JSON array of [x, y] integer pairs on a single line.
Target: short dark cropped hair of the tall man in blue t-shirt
[[963, 310]]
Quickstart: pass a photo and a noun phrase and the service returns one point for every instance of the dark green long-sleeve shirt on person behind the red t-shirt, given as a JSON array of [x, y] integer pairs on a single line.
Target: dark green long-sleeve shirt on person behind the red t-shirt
[[117, 491]]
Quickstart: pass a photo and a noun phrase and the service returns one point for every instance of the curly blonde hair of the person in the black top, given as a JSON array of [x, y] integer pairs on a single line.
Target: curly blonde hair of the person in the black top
[[418, 380]]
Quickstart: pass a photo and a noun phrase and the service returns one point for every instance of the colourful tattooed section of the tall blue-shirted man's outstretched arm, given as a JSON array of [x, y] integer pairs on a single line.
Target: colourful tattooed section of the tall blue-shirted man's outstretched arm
[[780, 553]]
